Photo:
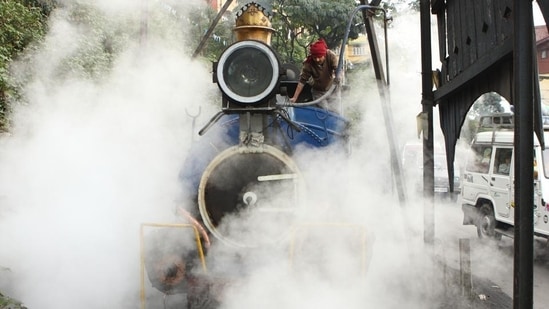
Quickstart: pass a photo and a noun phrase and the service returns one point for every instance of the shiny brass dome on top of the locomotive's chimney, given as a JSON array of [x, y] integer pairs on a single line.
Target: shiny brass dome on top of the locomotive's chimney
[[253, 23]]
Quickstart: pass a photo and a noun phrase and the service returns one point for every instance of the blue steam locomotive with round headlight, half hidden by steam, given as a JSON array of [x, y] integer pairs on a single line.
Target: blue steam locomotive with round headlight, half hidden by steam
[[242, 171]]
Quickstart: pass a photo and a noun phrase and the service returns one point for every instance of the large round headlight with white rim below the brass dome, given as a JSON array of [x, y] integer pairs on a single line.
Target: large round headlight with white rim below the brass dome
[[248, 71]]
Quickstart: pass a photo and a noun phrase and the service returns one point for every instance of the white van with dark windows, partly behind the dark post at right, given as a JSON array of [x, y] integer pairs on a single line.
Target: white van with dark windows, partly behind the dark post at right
[[487, 192]]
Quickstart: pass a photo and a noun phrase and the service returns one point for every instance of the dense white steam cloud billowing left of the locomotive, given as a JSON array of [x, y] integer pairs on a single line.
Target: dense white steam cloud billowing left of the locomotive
[[89, 159]]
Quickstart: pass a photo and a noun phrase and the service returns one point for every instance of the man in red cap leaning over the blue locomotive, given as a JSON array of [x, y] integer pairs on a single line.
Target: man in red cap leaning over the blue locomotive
[[318, 70]]
